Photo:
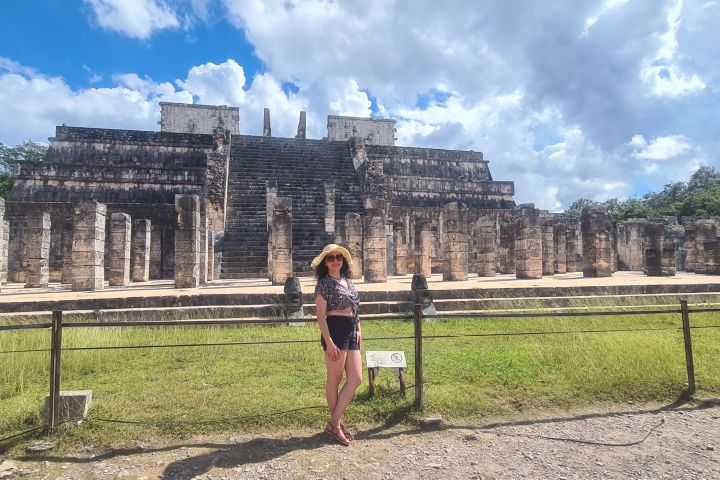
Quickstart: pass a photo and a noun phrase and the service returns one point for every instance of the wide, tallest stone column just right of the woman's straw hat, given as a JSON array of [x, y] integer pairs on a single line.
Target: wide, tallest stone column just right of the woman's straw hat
[[374, 241]]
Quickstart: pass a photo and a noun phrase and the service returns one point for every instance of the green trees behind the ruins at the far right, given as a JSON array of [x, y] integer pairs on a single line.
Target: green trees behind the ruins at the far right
[[698, 197]]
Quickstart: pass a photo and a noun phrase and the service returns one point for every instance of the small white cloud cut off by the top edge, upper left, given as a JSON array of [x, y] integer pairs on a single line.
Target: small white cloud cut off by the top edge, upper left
[[134, 18]]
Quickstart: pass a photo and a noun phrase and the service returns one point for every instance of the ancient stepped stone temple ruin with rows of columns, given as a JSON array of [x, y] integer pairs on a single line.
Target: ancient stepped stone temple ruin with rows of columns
[[199, 201]]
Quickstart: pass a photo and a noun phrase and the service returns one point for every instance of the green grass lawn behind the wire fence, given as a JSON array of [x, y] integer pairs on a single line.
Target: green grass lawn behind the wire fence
[[179, 391]]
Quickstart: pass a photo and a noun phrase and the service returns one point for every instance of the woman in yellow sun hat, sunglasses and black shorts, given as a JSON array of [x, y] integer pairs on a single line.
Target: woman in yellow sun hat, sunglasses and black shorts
[[336, 303]]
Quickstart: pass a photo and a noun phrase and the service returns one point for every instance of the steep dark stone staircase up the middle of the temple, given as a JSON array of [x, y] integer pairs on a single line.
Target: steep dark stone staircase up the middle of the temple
[[293, 164]]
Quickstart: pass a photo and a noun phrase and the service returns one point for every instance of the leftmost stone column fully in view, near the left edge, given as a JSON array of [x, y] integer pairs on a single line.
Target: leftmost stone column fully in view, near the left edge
[[37, 248]]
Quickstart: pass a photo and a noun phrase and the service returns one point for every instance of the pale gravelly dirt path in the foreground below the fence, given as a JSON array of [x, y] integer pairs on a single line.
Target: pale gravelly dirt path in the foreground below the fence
[[675, 444]]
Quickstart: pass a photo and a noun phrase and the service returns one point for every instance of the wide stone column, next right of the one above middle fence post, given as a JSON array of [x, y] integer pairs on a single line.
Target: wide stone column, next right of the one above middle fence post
[[456, 241]]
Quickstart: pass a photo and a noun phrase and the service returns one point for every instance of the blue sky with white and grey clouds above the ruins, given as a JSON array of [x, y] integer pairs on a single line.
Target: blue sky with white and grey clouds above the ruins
[[609, 98]]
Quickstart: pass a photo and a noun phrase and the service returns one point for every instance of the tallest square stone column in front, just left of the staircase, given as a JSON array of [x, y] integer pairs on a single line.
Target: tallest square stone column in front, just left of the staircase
[[187, 241]]
